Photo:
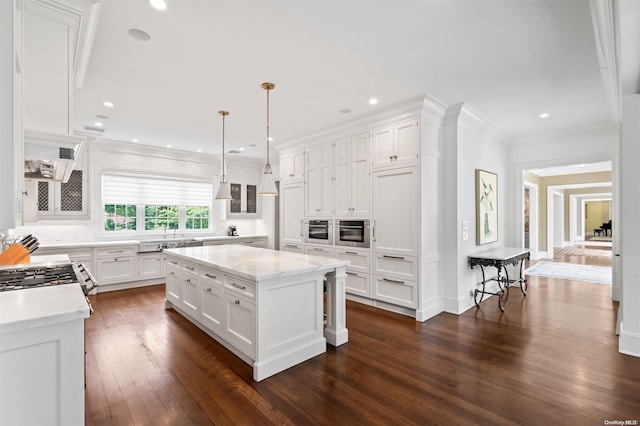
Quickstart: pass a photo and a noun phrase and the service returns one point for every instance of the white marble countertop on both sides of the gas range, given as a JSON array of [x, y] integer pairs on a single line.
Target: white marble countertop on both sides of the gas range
[[36, 307]]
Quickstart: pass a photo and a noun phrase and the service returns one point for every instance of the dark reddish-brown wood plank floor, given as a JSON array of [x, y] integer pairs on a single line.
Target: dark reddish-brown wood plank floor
[[550, 358]]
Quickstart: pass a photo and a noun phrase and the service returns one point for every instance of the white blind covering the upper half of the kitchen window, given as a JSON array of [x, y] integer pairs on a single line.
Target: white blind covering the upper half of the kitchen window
[[126, 189]]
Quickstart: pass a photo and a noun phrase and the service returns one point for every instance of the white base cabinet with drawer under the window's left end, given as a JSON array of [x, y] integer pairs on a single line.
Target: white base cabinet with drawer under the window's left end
[[115, 264]]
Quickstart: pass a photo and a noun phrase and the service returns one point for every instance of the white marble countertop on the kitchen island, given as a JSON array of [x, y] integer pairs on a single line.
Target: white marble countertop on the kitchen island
[[256, 264]]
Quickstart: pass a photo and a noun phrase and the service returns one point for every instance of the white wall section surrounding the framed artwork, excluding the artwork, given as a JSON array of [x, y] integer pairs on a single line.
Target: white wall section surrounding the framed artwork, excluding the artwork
[[470, 142]]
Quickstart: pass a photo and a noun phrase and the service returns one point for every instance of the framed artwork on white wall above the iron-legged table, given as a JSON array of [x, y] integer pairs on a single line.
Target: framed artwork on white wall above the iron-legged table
[[486, 207]]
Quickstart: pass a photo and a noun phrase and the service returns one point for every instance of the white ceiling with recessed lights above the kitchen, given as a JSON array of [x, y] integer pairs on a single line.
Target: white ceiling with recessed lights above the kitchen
[[511, 60]]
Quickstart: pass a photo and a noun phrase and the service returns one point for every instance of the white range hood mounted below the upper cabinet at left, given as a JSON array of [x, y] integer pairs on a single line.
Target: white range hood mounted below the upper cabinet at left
[[50, 156]]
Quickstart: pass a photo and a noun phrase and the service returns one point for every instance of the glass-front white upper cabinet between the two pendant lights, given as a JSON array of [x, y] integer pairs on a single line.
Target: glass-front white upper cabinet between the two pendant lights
[[243, 181]]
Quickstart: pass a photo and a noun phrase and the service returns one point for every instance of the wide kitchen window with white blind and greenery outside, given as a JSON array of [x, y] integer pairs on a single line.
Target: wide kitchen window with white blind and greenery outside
[[158, 205]]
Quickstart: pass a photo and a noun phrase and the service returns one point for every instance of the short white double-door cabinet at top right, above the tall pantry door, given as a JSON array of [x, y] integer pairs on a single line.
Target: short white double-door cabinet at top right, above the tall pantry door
[[396, 145]]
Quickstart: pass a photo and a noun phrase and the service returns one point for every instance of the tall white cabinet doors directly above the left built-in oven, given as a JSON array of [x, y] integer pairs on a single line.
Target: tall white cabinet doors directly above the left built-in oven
[[319, 180]]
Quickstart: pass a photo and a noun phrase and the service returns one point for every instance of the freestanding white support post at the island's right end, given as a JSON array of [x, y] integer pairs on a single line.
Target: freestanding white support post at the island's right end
[[336, 331]]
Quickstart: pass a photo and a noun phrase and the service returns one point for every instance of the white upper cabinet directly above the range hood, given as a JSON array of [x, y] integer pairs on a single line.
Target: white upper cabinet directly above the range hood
[[50, 35]]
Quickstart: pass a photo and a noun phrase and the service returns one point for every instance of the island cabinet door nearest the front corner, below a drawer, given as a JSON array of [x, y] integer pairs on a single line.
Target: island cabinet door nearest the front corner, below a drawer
[[240, 323]]
